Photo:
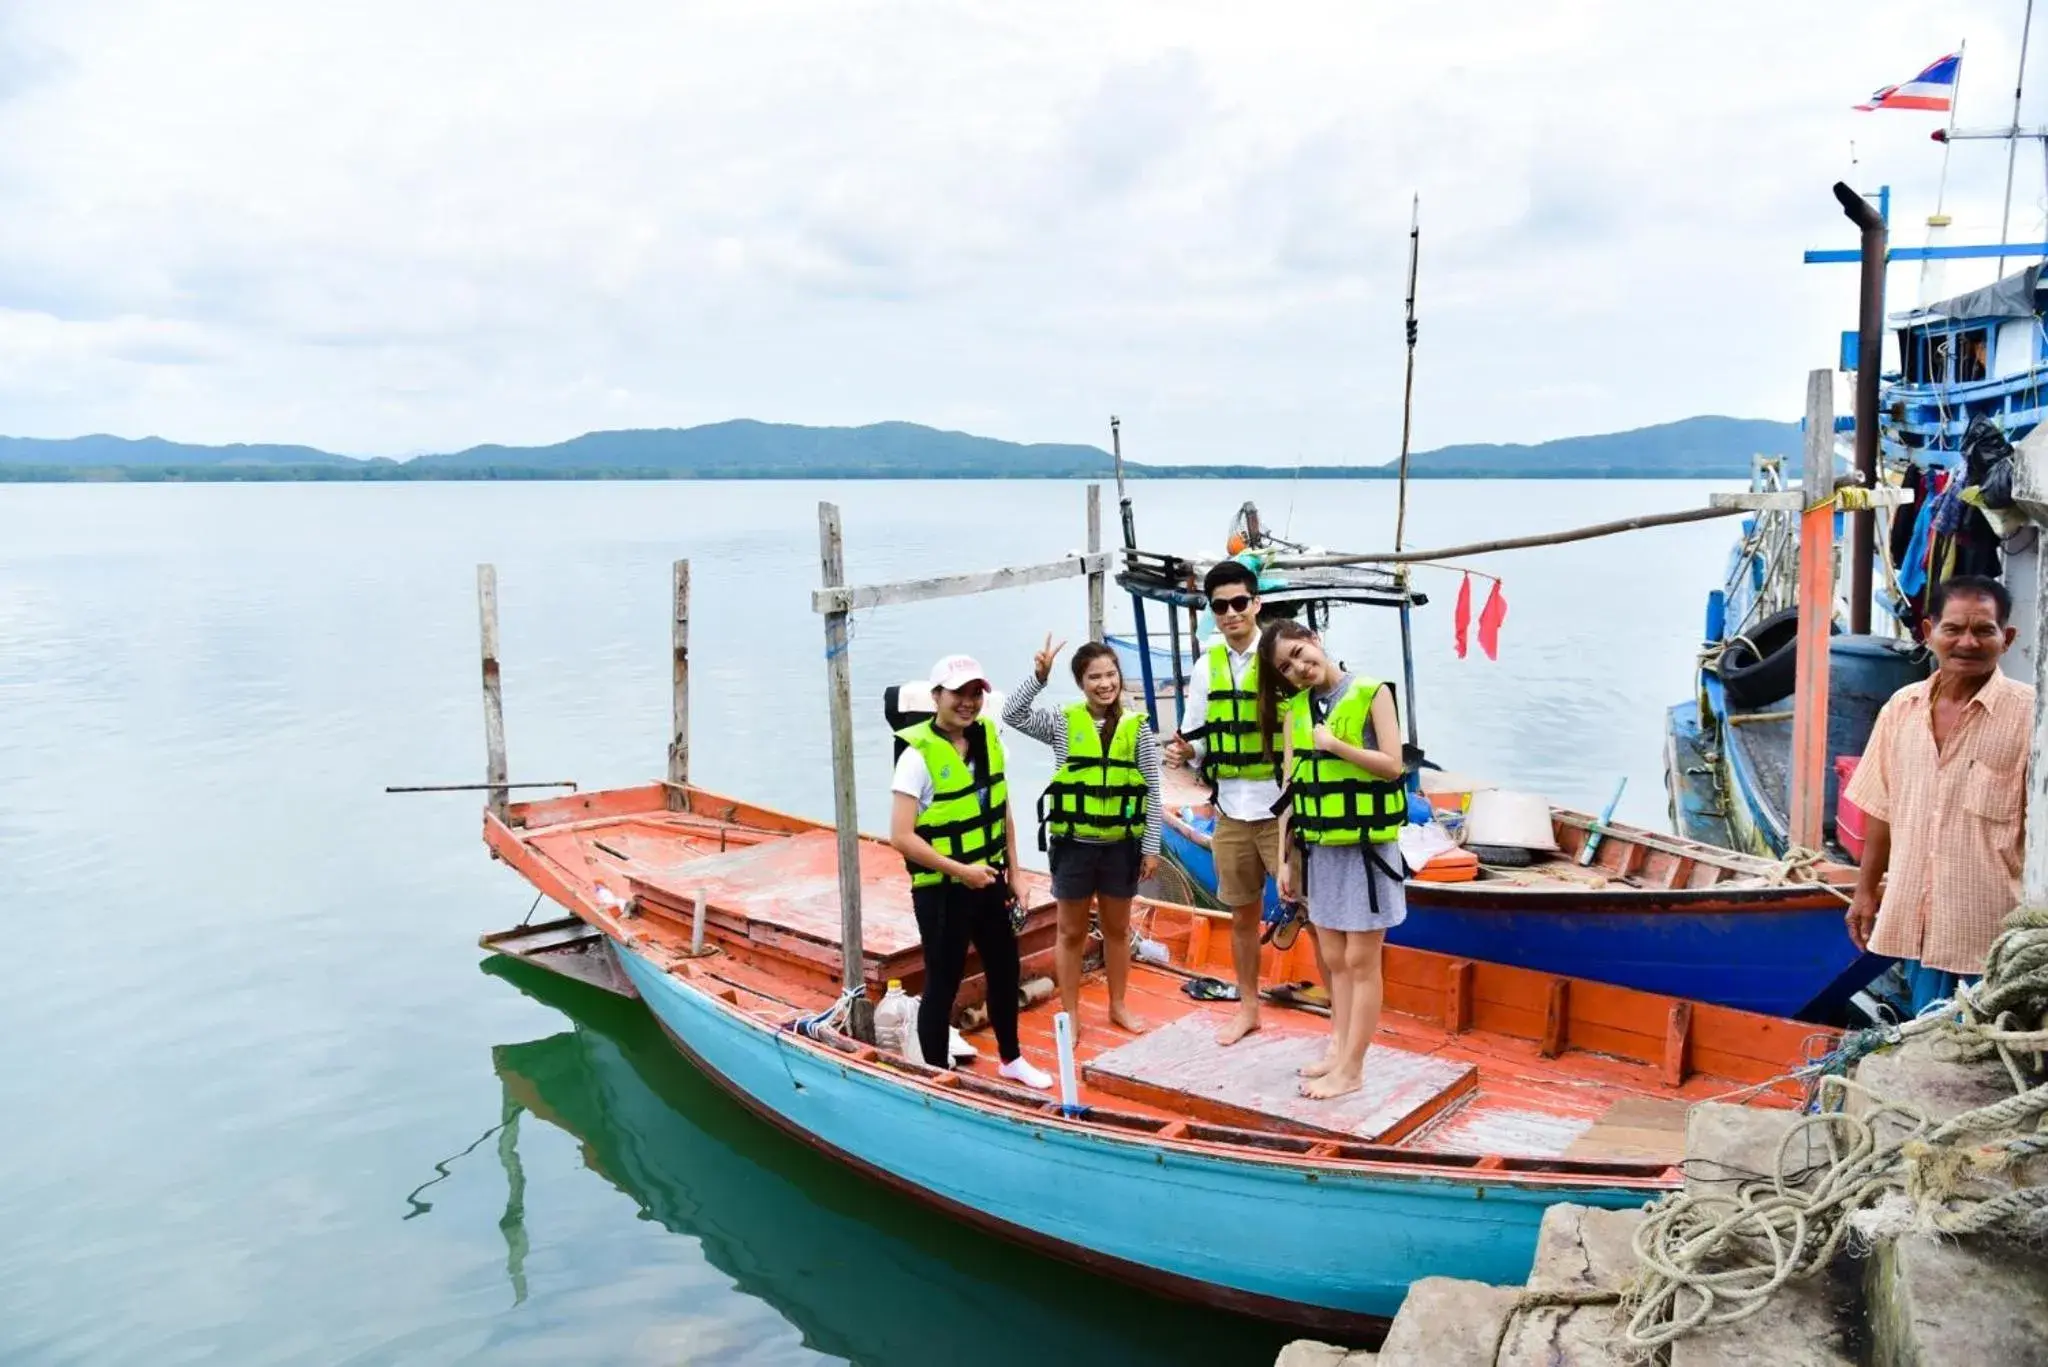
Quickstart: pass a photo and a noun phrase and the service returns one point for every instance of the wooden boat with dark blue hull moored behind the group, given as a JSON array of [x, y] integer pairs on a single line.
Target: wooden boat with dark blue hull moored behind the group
[[1654, 911]]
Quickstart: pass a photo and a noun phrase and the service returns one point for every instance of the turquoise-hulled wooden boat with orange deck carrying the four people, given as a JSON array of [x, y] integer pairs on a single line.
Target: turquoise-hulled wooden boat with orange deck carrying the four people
[[1199, 1171]]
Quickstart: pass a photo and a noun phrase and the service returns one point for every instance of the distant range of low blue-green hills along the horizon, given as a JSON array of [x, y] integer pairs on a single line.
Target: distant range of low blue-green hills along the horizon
[[1691, 450]]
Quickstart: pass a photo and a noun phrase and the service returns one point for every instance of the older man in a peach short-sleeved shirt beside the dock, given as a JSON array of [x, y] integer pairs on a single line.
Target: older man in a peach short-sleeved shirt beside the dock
[[1945, 784]]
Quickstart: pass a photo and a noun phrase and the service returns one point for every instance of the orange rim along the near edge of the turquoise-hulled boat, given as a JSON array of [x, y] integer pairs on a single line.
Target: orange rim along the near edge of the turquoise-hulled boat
[[511, 839]]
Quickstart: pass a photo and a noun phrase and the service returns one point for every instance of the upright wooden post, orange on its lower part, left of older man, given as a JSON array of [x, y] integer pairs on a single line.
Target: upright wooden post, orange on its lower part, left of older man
[[1816, 616]]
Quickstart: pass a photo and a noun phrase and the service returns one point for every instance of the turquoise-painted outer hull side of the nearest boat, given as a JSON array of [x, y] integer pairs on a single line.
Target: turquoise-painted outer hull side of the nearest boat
[[1322, 1247]]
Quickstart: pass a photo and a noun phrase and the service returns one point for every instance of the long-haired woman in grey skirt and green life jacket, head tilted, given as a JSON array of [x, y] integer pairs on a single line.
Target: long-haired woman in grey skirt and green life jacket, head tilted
[[1351, 864]]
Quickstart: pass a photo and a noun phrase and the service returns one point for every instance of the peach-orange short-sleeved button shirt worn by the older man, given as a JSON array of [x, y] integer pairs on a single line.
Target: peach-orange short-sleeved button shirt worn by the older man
[[1957, 817]]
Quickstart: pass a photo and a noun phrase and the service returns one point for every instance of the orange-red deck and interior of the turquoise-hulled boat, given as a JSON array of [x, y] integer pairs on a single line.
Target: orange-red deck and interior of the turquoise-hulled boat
[[1474, 1065]]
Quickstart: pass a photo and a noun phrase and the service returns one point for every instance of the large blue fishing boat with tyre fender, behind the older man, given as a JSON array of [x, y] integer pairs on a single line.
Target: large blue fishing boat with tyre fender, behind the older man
[[1940, 397]]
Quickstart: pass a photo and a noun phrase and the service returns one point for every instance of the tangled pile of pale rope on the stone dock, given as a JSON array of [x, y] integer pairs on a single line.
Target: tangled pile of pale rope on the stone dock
[[1891, 1169]]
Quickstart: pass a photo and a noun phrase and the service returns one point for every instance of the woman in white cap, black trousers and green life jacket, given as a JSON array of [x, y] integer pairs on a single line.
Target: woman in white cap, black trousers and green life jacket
[[951, 823]]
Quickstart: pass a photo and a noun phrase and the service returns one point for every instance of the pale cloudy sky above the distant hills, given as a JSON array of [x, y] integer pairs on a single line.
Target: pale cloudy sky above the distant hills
[[386, 229]]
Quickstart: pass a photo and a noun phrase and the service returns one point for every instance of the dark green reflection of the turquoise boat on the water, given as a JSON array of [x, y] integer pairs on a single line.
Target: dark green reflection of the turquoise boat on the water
[[855, 1268]]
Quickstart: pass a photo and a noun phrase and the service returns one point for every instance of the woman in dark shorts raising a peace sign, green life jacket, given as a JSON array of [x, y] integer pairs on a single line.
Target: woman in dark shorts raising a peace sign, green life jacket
[[1103, 815]]
